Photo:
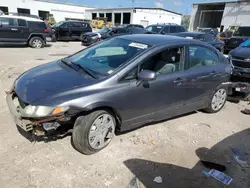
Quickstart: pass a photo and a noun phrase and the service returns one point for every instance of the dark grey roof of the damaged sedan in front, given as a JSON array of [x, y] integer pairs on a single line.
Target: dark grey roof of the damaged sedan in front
[[156, 39]]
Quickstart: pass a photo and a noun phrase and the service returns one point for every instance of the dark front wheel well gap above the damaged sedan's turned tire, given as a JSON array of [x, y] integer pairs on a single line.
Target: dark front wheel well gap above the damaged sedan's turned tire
[[110, 109]]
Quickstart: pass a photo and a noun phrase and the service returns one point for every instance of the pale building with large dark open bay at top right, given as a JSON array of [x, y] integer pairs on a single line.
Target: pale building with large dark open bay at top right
[[220, 14]]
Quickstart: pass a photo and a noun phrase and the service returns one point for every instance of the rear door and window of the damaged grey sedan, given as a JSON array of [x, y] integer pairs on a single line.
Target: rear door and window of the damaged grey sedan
[[206, 74]]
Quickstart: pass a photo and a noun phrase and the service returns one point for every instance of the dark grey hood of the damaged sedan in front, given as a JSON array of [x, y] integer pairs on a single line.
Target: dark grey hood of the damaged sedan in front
[[46, 80]]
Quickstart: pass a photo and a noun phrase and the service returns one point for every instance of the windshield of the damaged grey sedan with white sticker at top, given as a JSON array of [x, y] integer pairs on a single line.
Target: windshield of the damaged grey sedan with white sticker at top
[[104, 58]]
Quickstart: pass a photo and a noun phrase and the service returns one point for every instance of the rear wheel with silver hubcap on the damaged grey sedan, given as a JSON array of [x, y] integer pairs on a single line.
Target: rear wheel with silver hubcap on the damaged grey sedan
[[222, 92]]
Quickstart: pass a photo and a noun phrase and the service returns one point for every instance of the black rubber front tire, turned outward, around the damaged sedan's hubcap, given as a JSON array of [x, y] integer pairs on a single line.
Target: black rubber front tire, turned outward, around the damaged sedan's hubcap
[[82, 126]]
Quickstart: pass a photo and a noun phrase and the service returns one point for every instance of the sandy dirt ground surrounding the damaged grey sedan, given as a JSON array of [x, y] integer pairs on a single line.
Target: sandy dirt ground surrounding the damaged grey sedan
[[170, 149]]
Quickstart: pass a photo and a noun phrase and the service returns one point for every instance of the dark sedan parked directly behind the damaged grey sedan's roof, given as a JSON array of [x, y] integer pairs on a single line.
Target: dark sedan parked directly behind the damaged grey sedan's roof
[[93, 37]]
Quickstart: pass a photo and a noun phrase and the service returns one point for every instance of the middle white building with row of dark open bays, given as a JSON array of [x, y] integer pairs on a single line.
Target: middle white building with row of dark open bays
[[143, 16]]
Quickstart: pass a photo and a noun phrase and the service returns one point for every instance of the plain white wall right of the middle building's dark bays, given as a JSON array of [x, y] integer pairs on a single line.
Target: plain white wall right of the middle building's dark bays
[[148, 17]]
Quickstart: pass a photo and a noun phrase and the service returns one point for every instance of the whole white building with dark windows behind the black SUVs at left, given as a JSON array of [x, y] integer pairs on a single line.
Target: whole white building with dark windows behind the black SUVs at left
[[41, 8]]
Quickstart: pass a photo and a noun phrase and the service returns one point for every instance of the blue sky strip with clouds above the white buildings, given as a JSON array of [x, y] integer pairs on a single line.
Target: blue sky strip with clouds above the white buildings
[[181, 6]]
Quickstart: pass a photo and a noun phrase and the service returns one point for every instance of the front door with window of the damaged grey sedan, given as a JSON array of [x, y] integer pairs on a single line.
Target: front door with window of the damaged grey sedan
[[159, 99]]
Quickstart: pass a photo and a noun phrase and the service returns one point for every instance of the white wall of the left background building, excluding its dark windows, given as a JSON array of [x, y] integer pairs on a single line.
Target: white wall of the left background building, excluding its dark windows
[[60, 11]]
